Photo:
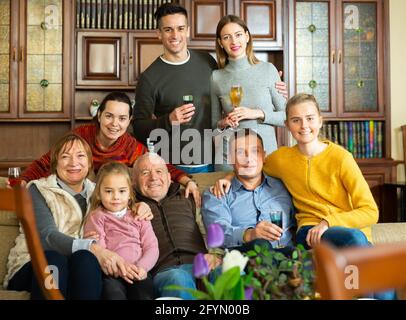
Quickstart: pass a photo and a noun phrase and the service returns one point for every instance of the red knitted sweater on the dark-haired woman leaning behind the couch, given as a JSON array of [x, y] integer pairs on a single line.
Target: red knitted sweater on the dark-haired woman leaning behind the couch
[[125, 150]]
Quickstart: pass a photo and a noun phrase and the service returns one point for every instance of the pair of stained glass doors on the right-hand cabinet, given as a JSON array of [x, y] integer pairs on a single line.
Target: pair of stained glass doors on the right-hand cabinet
[[339, 56]]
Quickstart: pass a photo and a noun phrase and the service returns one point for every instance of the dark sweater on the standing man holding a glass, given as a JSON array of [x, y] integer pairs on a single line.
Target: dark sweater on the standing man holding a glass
[[160, 90]]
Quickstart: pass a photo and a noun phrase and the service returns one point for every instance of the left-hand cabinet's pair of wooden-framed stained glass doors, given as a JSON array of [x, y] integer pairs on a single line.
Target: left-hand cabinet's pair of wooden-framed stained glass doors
[[34, 57]]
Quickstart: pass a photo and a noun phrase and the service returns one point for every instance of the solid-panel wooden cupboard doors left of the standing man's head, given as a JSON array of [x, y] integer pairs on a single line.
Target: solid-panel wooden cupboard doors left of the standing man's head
[[114, 59]]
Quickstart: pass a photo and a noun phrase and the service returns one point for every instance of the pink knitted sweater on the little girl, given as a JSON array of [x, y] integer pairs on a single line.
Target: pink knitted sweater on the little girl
[[133, 240]]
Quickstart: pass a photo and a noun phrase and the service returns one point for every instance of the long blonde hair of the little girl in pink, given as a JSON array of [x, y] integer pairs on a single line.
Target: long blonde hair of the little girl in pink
[[105, 170]]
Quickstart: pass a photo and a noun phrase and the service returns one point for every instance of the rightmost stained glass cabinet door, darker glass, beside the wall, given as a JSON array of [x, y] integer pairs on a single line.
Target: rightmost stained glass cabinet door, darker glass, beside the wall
[[361, 51]]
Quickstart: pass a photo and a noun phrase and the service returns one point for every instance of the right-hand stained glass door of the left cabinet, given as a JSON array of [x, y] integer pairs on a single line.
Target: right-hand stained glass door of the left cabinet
[[44, 76]]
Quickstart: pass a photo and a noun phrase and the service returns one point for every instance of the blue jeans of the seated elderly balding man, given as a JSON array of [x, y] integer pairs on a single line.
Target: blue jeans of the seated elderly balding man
[[181, 275]]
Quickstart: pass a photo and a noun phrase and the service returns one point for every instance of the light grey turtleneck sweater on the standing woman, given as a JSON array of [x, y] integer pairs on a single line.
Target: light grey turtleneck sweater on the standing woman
[[258, 84]]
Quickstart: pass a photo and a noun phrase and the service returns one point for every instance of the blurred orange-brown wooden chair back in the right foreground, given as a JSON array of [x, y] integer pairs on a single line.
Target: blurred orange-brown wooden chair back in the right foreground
[[343, 274]]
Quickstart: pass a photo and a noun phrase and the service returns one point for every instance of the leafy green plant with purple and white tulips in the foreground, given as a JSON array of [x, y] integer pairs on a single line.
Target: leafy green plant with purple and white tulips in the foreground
[[261, 274]]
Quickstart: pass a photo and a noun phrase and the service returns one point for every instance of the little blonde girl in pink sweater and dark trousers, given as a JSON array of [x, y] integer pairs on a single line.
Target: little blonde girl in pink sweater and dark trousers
[[112, 224]]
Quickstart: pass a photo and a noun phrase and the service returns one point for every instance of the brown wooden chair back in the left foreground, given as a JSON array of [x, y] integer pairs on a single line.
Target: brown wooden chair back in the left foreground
[[19, 201]]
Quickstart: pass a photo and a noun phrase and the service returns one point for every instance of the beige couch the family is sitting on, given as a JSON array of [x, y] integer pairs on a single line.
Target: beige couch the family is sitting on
[[381, 233]]
